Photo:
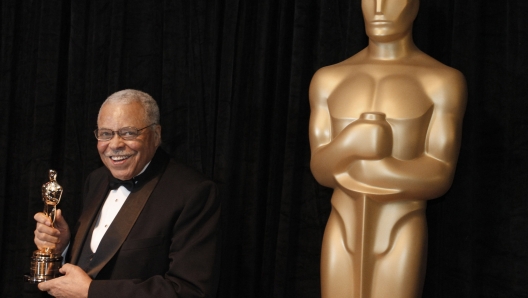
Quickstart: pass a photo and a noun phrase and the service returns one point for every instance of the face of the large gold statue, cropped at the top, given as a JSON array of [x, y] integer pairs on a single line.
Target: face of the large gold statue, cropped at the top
[[387, 20]]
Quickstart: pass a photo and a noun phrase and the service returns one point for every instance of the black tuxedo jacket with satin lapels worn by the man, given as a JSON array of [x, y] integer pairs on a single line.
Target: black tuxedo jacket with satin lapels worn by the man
[[164, 242]]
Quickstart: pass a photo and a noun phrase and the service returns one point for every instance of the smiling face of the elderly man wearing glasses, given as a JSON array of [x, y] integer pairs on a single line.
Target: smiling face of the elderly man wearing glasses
[[125, 159]]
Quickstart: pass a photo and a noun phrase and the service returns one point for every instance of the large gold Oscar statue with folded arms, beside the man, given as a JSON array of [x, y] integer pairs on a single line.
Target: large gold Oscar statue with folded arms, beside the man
[[385, 130]]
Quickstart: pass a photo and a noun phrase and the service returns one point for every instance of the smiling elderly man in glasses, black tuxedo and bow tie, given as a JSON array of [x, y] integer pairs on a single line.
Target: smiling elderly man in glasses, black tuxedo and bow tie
[[149, 226]]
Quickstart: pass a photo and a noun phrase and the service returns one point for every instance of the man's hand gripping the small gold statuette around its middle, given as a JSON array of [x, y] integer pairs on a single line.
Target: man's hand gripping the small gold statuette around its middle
[[56, 237]]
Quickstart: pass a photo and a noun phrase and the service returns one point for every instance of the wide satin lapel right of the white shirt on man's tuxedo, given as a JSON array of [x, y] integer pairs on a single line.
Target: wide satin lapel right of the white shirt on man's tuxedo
[[120, 227]]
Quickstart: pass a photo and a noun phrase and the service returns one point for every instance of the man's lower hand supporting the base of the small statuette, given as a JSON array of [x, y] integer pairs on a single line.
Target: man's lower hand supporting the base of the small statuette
[[74, 283]]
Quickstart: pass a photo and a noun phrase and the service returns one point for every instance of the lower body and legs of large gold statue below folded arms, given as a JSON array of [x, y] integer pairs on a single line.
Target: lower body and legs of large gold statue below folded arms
[[372, 249]]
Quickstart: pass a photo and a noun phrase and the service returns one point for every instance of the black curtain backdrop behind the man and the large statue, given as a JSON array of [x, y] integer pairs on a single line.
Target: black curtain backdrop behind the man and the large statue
[[231, 78]]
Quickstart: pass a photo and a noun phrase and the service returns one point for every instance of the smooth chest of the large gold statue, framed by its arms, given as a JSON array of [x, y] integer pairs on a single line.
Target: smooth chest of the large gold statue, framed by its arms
[[395, 91]]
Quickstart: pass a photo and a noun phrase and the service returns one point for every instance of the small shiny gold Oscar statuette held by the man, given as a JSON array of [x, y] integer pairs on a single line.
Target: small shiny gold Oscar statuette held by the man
[[45, 263]]
